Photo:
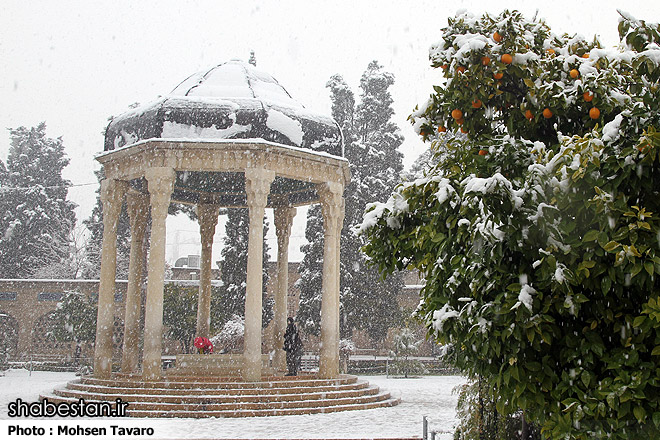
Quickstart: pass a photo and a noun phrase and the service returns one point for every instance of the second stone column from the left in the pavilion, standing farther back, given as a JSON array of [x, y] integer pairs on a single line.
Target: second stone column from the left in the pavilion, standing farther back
[[137, 205]]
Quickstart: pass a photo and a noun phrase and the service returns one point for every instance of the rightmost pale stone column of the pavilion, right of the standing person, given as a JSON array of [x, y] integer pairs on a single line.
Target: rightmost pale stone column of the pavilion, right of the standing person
[[332, 206]]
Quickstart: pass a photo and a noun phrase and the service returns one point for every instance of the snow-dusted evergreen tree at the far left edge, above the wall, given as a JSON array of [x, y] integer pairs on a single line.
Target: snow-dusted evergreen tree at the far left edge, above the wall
[[35, 217]]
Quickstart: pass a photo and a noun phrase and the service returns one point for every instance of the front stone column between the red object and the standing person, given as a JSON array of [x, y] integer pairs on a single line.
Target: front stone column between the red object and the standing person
[[257, 187]]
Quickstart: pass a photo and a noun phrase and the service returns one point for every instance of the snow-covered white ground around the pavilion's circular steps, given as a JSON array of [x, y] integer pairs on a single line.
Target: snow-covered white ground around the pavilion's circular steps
[[429, 396]]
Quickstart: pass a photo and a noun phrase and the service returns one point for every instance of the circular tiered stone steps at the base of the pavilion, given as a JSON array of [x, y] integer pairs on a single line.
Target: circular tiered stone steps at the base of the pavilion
[[179, 396]]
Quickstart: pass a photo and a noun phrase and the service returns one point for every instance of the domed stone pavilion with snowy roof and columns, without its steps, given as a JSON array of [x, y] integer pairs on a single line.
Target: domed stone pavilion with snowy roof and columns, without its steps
[[230, 136]]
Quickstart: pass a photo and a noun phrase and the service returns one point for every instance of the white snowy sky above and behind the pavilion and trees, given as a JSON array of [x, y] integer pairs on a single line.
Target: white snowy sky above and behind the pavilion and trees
[[75, 63]]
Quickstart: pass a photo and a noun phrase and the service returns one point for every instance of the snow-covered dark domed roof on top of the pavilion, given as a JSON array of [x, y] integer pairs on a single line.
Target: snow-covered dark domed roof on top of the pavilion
[[233, 100]]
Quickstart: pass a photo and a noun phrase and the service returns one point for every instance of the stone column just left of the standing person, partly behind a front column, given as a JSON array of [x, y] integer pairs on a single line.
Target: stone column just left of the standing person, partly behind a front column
[[283, 220]]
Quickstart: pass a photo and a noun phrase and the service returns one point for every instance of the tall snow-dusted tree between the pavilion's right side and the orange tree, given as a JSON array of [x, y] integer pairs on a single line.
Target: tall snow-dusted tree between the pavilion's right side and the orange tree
[[371, 143]]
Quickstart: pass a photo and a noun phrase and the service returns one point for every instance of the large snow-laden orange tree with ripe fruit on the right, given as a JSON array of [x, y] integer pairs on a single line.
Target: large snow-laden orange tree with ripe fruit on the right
[[538, 233]]
